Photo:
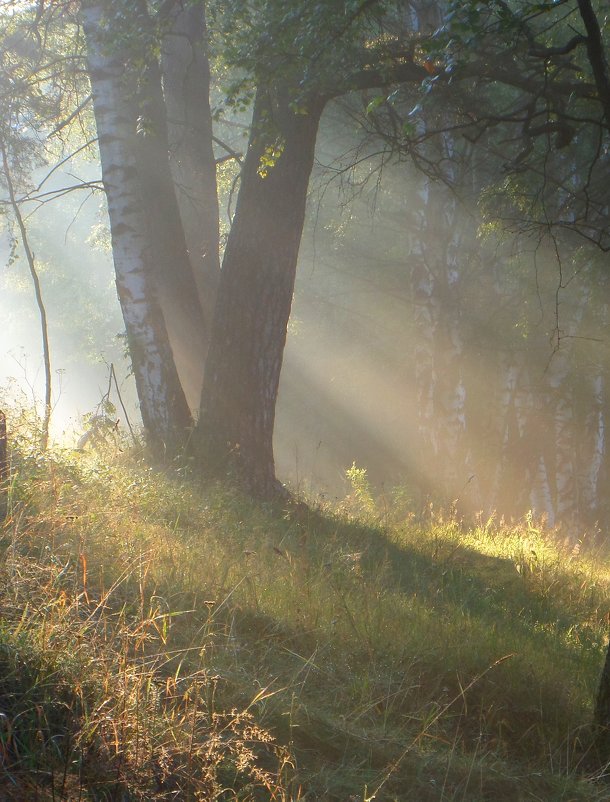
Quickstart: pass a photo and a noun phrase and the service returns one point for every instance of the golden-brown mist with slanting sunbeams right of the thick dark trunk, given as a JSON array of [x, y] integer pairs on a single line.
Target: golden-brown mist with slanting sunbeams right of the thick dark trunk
[[462, 365]]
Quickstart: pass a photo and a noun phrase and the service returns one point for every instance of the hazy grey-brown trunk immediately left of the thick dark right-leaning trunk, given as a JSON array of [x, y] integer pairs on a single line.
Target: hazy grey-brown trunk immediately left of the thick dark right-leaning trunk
[[186, 89]]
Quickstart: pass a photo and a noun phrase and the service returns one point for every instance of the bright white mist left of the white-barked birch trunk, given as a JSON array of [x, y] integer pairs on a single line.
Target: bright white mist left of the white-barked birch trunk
[[70, 240]]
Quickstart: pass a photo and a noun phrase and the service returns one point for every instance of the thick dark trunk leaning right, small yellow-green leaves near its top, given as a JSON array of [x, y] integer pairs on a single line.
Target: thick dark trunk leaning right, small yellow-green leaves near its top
[[235, 428]]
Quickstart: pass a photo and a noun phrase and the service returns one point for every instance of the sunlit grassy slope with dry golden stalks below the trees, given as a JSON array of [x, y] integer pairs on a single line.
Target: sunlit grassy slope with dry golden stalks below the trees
[[159, 640]]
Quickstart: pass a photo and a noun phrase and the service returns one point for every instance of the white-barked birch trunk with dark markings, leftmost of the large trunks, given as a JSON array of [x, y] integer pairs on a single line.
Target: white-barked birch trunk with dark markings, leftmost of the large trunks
[[164, 409]]
